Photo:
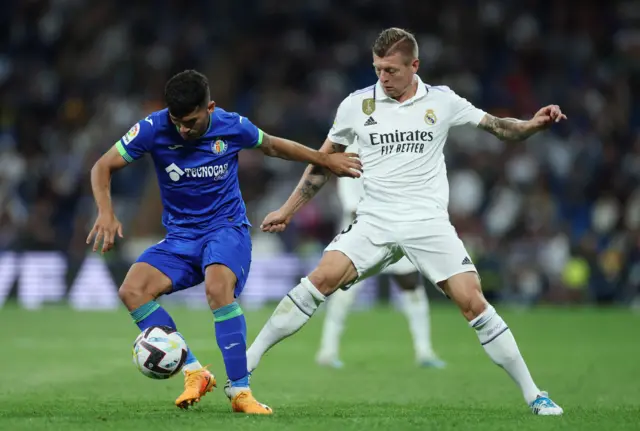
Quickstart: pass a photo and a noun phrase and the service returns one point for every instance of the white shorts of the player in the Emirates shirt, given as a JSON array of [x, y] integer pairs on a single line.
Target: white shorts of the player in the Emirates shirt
[[431, 246]]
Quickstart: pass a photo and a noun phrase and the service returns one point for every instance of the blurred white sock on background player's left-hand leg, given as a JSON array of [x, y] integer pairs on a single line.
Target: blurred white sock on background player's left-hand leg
[[338, 306]]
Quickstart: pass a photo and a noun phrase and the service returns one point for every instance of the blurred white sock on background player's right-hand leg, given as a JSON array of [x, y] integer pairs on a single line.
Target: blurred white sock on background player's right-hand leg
[[415, 307]]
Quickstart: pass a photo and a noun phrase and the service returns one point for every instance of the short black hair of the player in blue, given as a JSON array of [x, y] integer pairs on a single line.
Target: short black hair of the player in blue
[[185, 92]]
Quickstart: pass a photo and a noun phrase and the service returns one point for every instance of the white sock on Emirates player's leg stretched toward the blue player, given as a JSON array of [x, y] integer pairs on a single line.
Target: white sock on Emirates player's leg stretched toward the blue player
[[290, 315]]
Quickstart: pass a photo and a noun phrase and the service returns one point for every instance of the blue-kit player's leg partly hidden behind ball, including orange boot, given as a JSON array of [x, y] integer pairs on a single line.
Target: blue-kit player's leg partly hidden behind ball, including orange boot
[[139, 291]]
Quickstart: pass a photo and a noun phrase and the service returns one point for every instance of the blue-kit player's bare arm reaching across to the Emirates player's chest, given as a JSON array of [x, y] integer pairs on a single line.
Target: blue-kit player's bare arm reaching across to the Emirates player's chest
[[341, 164]]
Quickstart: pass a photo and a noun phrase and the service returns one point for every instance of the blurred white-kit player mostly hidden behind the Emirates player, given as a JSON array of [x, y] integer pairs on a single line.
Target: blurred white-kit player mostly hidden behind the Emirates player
[[413, 299]]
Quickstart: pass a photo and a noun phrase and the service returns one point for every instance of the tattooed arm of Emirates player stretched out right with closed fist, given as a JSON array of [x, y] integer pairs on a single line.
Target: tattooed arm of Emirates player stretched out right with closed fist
[[511, 129]]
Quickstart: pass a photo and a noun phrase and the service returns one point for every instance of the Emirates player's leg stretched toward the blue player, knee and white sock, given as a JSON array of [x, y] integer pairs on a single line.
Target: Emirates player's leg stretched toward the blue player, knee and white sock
[[292, 313]]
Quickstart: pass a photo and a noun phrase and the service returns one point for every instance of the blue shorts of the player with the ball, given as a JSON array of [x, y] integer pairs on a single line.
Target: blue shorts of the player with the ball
[[184, 260]]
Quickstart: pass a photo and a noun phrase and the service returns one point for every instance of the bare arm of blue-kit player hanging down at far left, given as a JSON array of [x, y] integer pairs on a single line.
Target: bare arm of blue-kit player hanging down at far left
[[107, 224]]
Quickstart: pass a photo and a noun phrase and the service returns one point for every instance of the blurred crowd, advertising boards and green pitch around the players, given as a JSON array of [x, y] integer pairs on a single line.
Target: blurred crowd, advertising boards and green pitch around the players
[[553, 221]]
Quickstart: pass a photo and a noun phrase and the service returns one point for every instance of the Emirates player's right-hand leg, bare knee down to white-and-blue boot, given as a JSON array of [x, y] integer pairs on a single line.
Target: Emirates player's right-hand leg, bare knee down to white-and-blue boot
[[496, 338]]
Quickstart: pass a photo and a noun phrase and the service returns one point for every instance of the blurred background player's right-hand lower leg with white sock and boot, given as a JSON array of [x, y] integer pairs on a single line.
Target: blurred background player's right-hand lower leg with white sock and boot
[[415, 306]]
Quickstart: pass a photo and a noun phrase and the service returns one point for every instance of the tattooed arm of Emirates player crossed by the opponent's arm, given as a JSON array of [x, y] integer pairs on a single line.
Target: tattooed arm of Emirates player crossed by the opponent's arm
[[313, 179]]
